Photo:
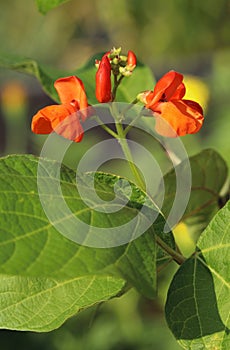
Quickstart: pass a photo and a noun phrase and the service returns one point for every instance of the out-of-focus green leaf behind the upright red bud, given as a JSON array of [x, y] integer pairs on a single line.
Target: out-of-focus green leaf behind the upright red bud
[[140, 80]]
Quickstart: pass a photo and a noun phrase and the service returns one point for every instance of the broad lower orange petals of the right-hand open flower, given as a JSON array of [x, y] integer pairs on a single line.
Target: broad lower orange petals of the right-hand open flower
[[178, 118]]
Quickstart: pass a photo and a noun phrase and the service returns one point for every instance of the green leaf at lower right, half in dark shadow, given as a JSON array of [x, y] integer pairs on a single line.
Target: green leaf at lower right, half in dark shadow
[[198, 307]]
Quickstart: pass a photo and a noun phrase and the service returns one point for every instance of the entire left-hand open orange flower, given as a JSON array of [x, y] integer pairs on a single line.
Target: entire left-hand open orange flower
[[65, 118]]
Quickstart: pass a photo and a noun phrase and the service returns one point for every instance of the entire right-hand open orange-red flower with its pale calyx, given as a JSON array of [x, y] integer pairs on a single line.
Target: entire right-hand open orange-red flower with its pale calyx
[[166, 101]]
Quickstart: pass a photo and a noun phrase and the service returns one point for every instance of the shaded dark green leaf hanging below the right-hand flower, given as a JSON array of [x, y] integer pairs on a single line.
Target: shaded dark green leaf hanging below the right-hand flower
[[205, 191]]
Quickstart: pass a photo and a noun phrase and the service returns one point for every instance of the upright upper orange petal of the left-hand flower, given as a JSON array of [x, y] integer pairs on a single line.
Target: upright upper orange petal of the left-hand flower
[[71, 89]]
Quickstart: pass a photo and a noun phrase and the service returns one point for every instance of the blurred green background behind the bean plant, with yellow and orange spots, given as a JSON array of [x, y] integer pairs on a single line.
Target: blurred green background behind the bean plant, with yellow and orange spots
[[192, 37]]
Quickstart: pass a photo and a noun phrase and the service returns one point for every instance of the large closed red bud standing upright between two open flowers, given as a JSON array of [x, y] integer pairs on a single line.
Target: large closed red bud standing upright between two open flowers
[[103, 80]]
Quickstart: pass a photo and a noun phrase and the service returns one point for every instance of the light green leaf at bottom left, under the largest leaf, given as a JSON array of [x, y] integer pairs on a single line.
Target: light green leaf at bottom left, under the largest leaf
[[43, 304]]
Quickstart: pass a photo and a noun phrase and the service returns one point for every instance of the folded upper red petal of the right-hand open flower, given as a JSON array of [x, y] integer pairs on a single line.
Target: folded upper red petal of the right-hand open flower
[[165, 88]]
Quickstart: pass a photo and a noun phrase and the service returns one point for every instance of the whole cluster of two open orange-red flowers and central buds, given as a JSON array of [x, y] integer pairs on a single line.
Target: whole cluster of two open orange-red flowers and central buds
[[174, 115]]
